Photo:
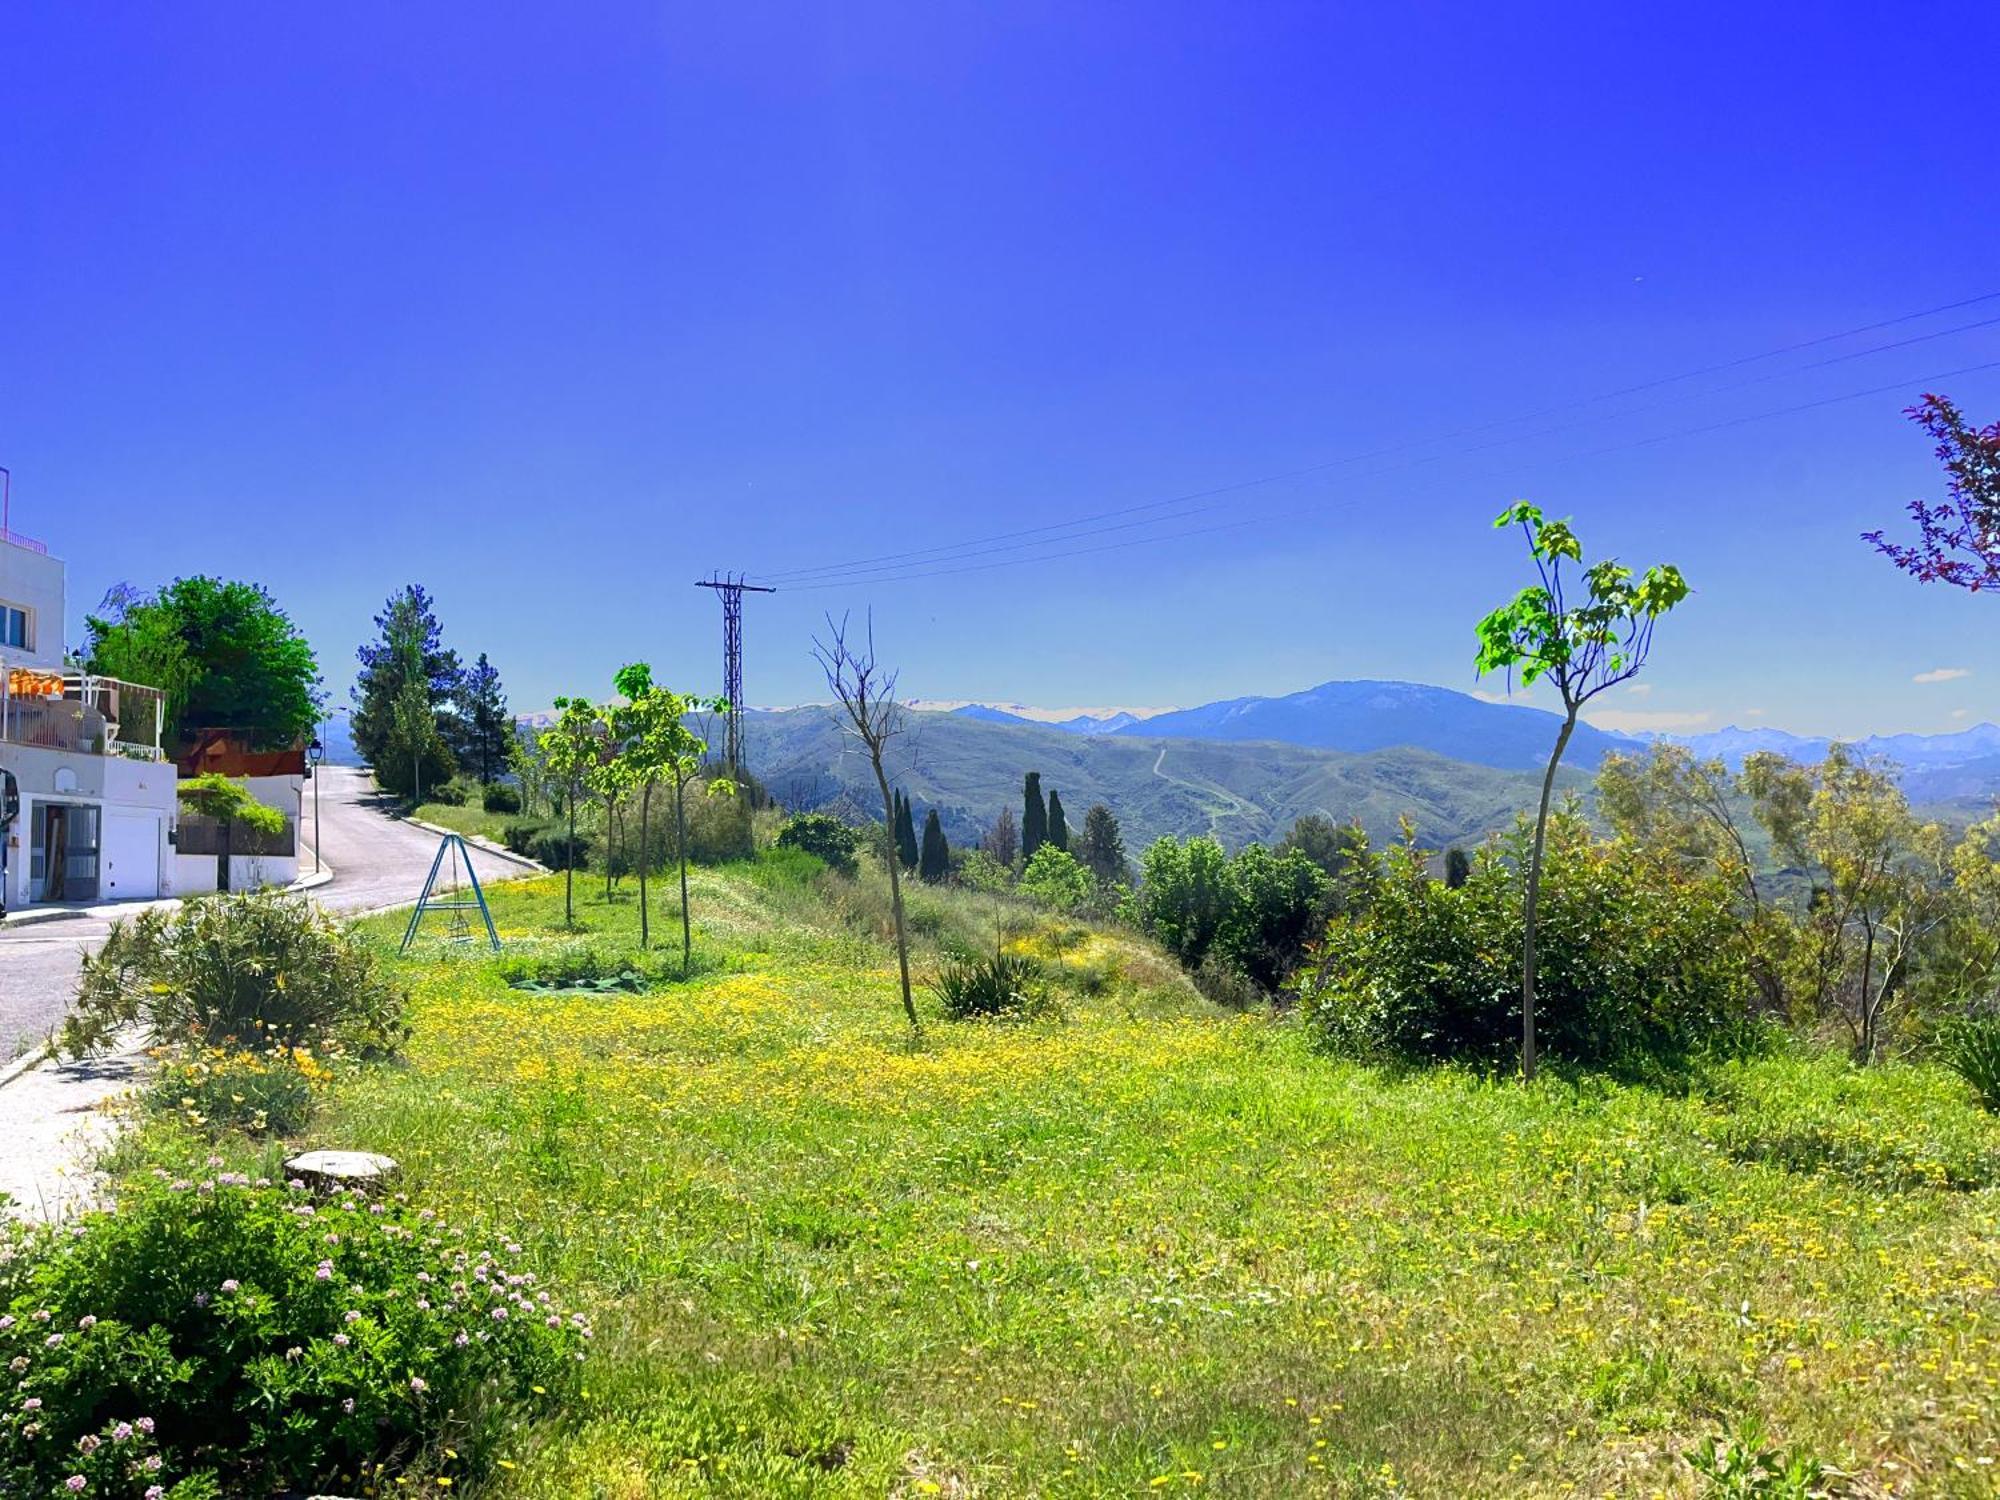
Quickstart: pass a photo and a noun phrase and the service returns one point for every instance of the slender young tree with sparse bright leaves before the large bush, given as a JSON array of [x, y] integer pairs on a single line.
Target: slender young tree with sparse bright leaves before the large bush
[[1583, 647]]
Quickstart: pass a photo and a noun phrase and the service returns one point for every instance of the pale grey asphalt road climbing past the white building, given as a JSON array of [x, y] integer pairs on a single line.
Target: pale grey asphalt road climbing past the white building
[[377, 861]]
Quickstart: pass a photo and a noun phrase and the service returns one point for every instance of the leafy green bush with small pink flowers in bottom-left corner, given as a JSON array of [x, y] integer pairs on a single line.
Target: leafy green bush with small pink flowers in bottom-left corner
[[239, 1337]]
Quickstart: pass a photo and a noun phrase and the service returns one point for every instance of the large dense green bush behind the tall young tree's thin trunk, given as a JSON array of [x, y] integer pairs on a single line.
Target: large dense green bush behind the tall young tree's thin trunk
[[1637, 963]]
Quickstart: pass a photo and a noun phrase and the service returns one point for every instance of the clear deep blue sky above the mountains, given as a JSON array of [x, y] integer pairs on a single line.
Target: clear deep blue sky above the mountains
[[555, 309]]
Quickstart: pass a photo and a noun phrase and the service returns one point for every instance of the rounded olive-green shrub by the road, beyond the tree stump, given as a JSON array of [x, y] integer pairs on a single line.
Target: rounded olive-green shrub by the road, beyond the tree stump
[[261, 967]]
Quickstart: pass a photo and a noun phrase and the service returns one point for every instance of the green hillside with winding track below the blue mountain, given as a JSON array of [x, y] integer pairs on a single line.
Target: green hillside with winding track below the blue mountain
[[971, 767]]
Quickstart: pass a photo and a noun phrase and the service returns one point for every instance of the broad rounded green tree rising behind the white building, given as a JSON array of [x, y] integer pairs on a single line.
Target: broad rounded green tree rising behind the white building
[[225, 655]]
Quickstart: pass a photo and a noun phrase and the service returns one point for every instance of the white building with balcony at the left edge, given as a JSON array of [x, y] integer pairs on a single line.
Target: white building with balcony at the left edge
[[81, 769]]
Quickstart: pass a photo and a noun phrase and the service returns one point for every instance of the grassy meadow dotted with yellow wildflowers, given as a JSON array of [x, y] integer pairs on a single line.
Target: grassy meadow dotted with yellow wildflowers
[[1143, 1245]]
